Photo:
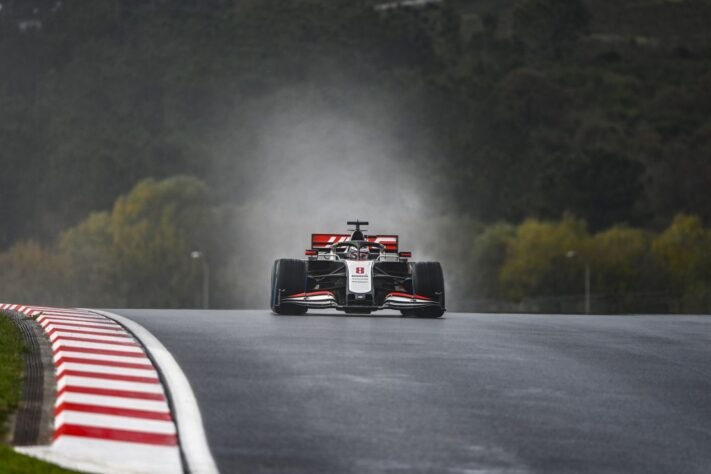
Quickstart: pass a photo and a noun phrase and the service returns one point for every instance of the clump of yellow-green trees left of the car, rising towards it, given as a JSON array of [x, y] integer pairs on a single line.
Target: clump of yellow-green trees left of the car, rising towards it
[[136, 255]]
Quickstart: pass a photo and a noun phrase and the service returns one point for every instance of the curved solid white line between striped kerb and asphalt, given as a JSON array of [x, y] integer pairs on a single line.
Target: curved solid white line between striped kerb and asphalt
[[191, 432]]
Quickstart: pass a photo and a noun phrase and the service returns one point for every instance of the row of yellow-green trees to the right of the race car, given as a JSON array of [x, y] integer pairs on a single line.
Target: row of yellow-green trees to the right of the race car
[[539, 266]]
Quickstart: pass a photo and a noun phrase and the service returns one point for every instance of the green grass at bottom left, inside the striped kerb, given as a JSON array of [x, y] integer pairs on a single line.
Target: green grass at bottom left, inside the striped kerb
[[12, 355]]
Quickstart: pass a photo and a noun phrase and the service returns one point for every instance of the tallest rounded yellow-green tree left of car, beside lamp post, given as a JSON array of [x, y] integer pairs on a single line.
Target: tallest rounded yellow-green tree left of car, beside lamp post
[[154, 228]]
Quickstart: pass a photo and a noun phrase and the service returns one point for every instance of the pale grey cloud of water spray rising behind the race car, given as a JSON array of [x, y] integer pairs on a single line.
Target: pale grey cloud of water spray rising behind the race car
[[308, 159]]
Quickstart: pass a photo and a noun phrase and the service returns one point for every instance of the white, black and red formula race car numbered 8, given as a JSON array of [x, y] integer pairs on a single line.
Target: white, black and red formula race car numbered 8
[[358, 274]]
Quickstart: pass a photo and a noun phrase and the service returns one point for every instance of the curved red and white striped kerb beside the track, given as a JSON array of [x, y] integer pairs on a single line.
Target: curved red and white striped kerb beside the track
[[111, 412]]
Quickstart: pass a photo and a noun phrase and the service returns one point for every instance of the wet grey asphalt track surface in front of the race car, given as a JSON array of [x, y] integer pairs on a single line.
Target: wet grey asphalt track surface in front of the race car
[[465, 394]]
